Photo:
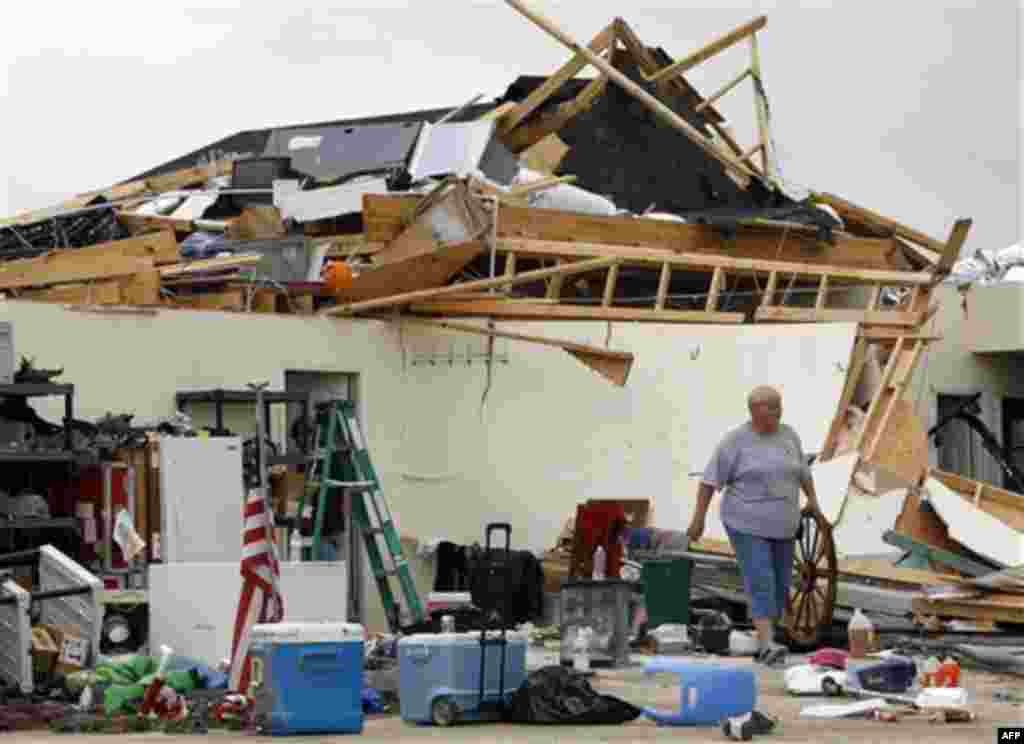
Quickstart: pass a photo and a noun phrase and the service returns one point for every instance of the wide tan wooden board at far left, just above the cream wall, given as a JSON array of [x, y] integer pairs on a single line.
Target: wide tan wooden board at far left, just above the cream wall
[[105, 261]]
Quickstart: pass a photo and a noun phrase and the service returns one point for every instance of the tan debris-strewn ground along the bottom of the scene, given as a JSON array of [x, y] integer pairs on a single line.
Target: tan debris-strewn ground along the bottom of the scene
[[632, 685]]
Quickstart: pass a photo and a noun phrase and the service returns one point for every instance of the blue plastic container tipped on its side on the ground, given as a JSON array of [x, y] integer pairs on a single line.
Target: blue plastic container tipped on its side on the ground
[[708, 692]]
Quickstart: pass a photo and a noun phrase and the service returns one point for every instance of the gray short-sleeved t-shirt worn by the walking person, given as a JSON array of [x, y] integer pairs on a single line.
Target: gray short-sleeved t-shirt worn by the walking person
[[760, 477]]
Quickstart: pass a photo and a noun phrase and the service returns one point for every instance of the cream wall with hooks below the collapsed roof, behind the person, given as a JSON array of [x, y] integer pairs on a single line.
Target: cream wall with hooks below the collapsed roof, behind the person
[[551, 434]]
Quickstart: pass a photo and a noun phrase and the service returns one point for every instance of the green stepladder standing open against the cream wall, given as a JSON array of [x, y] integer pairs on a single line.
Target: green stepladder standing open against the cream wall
[[342, 463]]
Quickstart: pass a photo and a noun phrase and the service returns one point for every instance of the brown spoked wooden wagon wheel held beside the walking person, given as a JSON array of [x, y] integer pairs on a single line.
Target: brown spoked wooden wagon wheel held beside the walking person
[[813, 596]]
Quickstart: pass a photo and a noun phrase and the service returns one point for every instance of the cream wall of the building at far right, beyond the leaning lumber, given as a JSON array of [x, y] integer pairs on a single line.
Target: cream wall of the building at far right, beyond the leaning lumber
[[952, 367]]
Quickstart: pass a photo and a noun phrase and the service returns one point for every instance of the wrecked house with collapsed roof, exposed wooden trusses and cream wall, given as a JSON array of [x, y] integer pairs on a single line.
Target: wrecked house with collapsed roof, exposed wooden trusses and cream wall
[[431, 269]]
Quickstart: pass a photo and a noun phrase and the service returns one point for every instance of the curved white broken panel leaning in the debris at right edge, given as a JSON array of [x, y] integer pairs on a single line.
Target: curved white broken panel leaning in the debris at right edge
[[978, 532]]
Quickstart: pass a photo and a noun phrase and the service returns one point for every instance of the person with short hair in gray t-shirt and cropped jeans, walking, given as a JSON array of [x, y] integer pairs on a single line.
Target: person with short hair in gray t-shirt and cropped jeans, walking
[[761, 469]]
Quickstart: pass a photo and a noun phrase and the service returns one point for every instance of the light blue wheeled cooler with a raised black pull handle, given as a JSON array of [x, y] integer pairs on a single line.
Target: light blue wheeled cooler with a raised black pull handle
[[440, 675]]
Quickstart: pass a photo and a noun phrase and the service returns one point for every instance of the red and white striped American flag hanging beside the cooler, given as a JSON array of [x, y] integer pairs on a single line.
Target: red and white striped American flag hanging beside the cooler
[[262, 601]]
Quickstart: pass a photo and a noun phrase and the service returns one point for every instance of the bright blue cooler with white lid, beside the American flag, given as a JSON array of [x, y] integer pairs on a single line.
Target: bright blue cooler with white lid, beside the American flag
[[308, 678]]
